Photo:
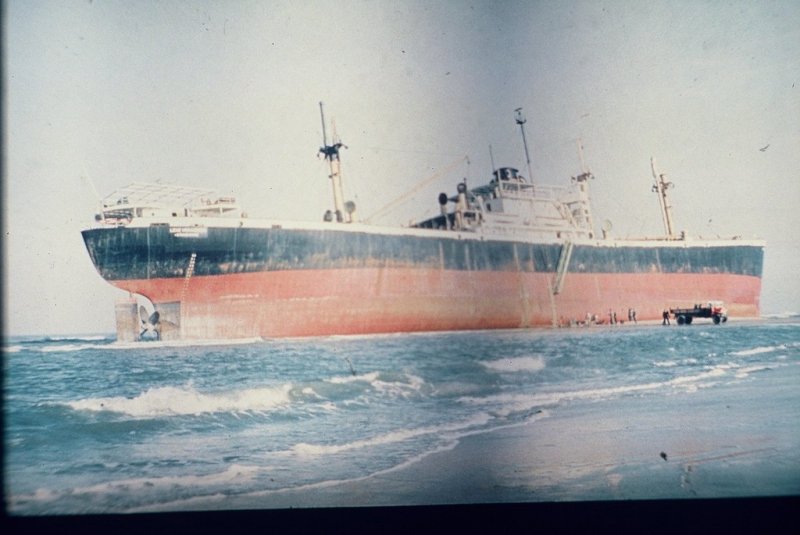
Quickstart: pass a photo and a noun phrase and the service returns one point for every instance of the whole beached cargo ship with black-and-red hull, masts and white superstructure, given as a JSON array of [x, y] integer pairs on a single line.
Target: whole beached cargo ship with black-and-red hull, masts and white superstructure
[[506, 254]]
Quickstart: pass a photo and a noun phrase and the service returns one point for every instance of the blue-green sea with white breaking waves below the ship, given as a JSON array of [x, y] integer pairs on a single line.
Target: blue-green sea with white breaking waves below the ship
[[95, 426]]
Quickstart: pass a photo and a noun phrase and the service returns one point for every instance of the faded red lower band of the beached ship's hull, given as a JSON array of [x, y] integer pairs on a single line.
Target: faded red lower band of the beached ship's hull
[[387, 300]]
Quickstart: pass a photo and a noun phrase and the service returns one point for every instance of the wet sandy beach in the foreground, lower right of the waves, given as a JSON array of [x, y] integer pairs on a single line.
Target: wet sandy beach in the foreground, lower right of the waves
[[714, 443]]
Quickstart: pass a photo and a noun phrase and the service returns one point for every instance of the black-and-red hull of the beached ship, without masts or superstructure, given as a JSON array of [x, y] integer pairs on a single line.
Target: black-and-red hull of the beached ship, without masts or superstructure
[[279, 282]]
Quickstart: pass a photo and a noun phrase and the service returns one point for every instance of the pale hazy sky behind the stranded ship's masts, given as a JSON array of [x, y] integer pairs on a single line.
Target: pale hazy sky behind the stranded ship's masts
[[98, 94]]
